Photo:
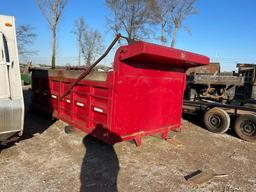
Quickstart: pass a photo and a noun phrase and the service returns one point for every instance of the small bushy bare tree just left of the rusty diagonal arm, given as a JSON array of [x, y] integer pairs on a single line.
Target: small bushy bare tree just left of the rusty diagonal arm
[[91, 46]]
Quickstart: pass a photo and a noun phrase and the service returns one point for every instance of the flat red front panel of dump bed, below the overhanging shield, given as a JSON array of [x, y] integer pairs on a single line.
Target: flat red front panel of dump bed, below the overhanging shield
[[148, 98]]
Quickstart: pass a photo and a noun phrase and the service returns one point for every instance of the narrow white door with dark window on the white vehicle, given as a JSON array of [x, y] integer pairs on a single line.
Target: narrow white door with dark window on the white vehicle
[[4, 65]]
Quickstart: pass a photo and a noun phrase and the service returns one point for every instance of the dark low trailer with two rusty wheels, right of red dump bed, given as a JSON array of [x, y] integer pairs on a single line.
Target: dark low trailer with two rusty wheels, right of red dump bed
[[217, 116]]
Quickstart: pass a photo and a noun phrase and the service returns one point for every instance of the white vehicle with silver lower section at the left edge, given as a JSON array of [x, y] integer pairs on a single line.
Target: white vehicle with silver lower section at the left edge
[[11, 96]]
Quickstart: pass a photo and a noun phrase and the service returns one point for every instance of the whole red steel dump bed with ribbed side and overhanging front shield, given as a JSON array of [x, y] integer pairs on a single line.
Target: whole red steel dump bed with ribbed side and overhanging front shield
[[141, 96]]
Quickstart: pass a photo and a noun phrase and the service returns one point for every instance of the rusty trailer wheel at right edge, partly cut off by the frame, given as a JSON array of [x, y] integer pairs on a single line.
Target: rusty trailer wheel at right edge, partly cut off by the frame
[[245, 127]]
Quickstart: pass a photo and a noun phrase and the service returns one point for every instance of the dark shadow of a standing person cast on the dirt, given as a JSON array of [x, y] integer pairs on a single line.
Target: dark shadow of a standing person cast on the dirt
[[100, 166]]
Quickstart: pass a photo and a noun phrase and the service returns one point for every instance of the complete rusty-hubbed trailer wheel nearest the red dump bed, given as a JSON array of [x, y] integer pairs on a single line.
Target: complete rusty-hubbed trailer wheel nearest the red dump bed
[[217, 120]]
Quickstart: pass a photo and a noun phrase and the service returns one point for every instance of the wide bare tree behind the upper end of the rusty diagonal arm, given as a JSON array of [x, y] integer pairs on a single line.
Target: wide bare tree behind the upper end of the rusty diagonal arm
[[131, 17]]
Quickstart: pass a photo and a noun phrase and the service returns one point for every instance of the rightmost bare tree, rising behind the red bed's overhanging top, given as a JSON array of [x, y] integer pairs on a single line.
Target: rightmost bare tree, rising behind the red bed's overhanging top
[[182, 9]]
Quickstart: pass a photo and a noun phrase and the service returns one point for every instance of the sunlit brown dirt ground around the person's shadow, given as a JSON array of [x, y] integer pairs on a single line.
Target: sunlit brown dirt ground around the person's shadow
[[48, 159]]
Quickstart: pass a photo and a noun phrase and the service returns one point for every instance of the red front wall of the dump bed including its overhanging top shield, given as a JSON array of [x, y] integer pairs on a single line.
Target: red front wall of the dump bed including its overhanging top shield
[[150, 82]]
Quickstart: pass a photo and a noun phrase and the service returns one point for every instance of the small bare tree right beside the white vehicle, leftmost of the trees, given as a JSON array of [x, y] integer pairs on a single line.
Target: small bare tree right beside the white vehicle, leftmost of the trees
[[25, 38]]
